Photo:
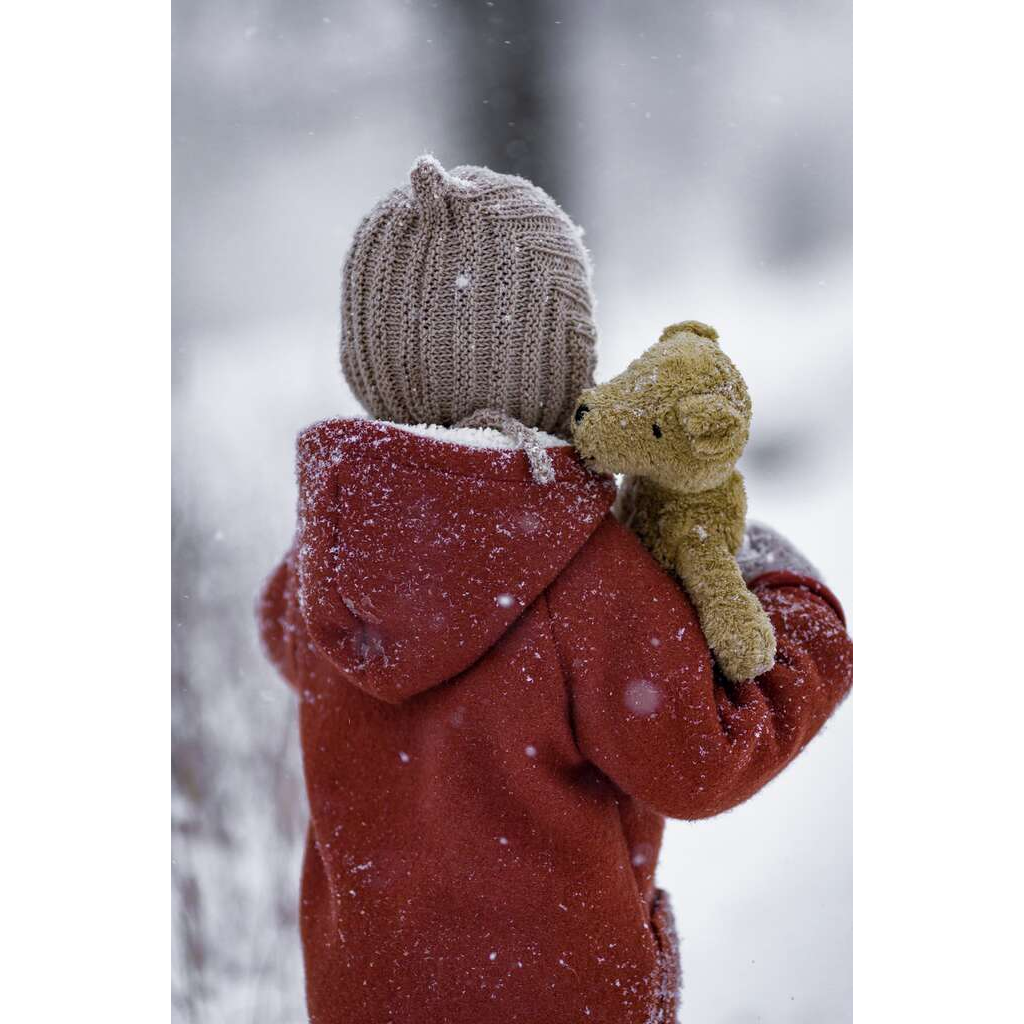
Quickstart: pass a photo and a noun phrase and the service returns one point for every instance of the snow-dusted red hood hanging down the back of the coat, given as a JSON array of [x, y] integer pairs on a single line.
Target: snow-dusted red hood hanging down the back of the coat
[[416, 552]]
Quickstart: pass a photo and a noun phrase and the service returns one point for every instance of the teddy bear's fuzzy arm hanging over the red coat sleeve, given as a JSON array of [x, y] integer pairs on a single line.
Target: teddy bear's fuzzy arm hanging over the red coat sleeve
[[735, 624]]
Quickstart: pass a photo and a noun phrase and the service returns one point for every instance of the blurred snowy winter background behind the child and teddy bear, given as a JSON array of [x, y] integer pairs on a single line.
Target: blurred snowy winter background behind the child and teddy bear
[[706, 149]]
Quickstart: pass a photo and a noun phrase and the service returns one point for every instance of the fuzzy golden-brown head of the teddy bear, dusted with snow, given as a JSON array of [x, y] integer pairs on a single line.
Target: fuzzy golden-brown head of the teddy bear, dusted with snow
[[679, 415]]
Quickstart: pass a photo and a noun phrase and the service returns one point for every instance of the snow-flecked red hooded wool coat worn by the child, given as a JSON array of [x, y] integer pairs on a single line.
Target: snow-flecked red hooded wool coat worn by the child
[[502, 696]]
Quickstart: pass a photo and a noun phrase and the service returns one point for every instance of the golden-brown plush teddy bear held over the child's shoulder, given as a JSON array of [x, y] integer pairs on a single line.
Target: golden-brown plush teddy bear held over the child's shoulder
[[675, 421]]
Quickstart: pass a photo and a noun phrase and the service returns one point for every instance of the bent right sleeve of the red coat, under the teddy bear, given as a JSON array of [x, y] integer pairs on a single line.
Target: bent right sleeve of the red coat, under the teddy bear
[[649, 707]]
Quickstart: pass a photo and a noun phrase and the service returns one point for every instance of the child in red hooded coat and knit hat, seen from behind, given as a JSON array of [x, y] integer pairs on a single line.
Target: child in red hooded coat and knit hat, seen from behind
[[502, 694]]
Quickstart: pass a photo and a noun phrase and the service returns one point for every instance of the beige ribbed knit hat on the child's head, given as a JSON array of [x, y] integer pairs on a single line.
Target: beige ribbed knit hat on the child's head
[[463, 291]]
